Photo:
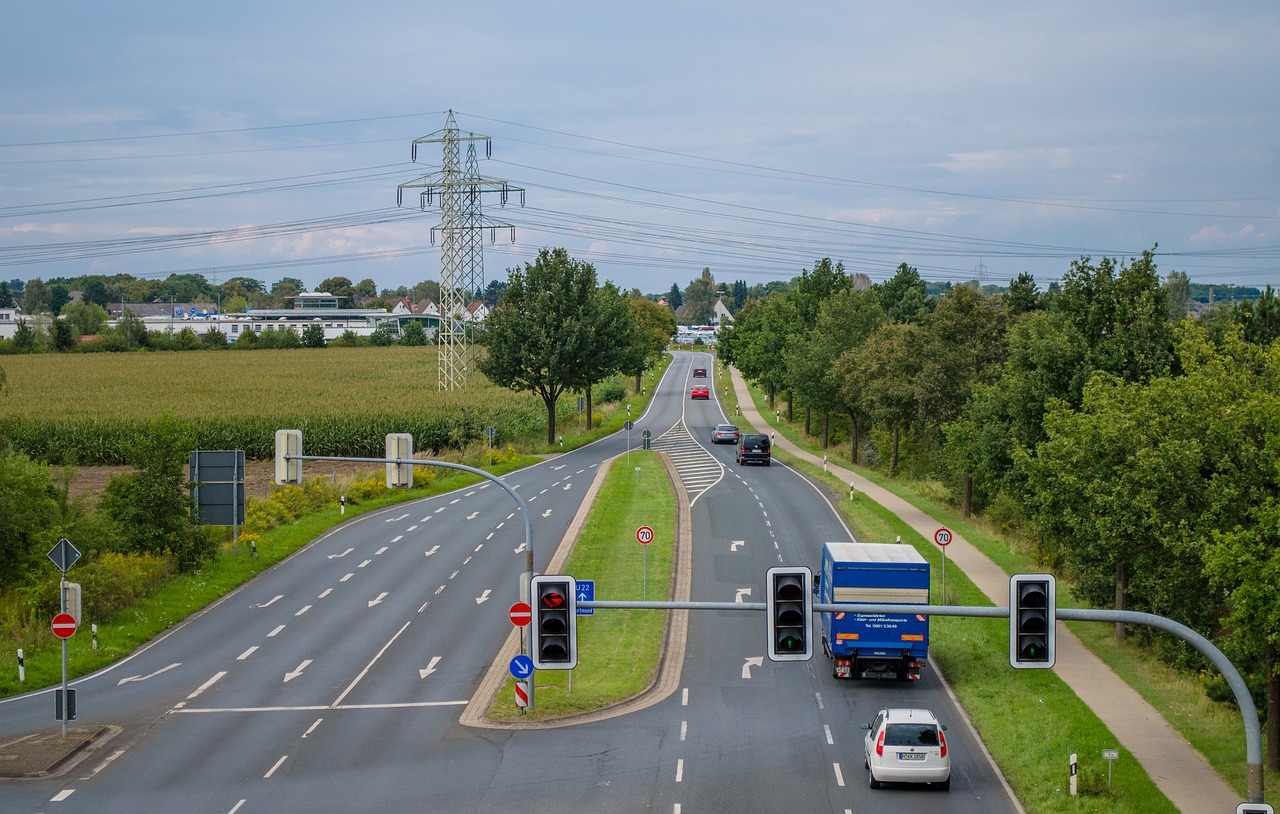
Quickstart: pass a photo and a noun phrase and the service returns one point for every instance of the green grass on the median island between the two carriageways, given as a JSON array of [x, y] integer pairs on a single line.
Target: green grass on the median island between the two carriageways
[[618, 650]]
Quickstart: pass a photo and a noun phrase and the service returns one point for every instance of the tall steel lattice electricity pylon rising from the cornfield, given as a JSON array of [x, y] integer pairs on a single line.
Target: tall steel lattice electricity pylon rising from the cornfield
[[461, 240]]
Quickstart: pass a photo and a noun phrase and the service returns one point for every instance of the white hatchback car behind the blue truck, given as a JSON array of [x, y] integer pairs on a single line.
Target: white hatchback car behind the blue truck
[[907, 747]]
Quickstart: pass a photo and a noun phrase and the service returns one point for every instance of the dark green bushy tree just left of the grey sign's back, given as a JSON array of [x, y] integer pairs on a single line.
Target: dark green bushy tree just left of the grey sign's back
[[152, 506]]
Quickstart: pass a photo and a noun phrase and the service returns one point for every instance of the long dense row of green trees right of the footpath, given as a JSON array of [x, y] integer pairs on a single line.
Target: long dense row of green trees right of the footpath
[[1136, 452]]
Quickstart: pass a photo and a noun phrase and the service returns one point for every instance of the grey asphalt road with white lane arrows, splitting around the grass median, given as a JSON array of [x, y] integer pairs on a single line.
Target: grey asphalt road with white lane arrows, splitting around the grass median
[[335, 682]]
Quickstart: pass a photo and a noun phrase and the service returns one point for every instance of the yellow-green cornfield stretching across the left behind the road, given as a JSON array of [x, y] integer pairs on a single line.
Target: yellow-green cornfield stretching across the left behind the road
[[88, 409]]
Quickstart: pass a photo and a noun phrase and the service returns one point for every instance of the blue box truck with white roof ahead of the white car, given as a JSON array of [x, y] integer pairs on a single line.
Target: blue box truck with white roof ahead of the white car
[[875, 646]]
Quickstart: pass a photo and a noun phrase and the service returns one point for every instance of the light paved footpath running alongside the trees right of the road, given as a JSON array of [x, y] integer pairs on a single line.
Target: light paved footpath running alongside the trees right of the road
[[1180, 771]]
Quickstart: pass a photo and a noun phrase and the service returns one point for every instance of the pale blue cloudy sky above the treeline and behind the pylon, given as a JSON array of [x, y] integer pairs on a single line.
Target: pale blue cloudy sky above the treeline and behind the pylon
[[971, 141]]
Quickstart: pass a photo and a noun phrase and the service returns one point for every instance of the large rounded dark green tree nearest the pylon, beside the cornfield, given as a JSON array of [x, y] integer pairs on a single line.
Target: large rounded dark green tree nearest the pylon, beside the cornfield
[[538, 337]]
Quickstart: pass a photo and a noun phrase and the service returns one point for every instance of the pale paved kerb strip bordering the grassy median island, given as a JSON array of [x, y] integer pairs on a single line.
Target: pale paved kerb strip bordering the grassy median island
[[670, 661]]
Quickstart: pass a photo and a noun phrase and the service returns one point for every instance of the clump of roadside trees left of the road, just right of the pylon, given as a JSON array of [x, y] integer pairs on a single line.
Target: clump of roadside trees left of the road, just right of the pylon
[[557, 331]]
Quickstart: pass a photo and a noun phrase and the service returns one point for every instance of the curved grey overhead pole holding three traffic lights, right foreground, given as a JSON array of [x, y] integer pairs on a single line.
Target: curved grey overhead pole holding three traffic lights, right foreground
[[1249, 712]]
